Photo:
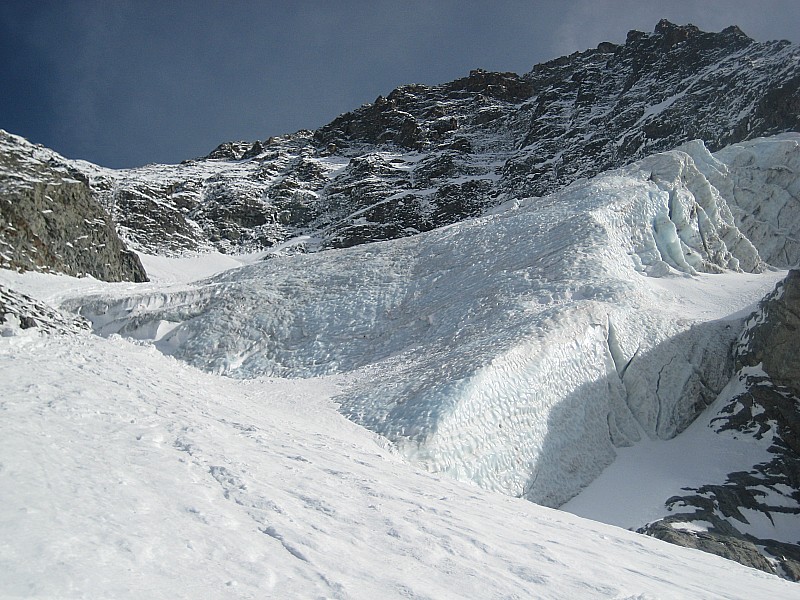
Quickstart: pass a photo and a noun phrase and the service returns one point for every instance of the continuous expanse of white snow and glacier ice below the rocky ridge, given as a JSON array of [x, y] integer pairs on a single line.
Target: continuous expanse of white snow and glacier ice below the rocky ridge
[[558, 349]]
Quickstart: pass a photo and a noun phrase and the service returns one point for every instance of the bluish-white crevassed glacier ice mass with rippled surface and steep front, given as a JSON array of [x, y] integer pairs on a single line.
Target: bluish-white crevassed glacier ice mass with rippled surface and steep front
[[517, 350]]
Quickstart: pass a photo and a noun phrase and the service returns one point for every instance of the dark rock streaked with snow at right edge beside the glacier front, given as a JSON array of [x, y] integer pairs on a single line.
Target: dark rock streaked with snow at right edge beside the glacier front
[[768, 408]]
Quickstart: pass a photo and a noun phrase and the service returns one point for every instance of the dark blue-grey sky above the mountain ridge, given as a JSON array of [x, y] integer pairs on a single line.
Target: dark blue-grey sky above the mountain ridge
[[124, 83]]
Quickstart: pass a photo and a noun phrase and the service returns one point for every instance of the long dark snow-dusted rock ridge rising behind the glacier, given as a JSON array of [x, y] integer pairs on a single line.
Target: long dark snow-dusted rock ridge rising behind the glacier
[[427, 156]]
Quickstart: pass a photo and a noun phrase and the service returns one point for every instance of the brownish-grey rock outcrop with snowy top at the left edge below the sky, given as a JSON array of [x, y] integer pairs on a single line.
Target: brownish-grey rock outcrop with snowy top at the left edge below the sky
[[50, 220]]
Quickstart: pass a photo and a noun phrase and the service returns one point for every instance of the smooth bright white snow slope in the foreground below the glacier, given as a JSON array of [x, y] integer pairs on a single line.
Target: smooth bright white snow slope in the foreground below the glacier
[[127, 474]]
